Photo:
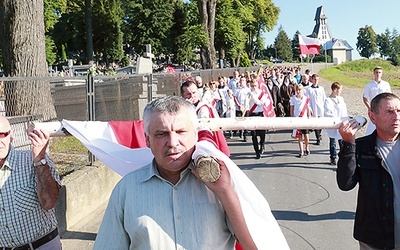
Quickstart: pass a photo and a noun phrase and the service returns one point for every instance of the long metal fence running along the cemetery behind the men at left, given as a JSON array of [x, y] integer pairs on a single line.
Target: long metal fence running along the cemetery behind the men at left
[[106, 98]]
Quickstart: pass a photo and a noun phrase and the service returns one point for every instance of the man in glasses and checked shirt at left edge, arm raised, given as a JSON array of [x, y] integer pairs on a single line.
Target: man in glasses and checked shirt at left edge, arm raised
[[29, 188]]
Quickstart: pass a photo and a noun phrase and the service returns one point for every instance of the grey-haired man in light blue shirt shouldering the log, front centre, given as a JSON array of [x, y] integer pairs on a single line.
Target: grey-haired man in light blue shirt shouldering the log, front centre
[[164, 205]]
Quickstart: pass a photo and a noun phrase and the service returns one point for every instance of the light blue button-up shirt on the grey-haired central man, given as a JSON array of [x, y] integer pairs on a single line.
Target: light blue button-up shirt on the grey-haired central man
[[146, 211]]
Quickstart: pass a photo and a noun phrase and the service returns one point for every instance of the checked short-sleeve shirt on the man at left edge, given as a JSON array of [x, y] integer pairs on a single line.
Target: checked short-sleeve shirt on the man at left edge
[[22, 219]]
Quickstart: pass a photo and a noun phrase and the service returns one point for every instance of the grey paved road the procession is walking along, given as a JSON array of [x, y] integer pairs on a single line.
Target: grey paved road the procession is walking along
[[312, 212]]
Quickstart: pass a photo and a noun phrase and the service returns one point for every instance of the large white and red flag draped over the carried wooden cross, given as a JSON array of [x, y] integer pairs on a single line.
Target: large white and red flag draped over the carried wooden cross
[[105, 139]]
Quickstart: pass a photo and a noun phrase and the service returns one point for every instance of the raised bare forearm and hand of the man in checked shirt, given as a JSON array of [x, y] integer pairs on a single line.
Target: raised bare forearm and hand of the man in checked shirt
[[47, 187]]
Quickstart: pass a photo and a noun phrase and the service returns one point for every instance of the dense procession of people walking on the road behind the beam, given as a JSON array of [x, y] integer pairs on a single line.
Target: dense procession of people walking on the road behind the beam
[[273, 92]]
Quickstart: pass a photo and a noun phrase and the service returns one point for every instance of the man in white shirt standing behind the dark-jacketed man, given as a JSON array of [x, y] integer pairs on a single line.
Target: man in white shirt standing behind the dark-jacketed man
[[372, 89]]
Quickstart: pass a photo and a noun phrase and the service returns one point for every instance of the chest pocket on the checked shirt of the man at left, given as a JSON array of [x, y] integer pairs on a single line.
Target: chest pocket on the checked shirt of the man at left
[[25, 199]]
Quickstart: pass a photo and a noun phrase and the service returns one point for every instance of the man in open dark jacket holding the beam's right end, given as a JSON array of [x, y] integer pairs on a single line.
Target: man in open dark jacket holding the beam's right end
[[373, 162]]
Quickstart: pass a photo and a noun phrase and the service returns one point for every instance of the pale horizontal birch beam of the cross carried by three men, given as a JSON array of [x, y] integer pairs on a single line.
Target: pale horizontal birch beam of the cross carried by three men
[[241, 123]]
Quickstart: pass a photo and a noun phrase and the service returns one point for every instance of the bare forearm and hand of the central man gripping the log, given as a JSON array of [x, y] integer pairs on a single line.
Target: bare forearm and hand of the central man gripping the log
[[223, 189]]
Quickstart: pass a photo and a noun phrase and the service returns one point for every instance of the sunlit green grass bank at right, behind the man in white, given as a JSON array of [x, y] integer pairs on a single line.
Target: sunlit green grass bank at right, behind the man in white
[[358, 73]]
